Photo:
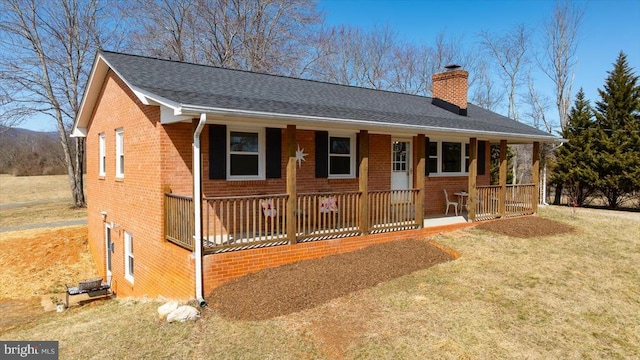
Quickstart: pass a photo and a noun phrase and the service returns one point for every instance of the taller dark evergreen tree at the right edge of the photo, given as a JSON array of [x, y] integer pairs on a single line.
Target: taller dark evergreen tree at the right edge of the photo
[[618, 133]]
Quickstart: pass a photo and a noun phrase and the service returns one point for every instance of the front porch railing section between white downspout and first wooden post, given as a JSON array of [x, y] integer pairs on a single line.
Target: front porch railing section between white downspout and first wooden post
[[241, 222]]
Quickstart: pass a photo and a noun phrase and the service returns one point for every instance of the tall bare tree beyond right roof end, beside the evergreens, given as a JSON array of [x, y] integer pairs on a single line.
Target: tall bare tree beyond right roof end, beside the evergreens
[[560, 45]]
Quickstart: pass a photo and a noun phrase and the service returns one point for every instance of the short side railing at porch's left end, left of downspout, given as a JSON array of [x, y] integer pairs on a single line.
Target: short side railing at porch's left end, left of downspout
[[179, 220]]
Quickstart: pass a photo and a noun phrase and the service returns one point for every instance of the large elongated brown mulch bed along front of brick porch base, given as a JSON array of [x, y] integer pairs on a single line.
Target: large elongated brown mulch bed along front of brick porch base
[[307, 284]]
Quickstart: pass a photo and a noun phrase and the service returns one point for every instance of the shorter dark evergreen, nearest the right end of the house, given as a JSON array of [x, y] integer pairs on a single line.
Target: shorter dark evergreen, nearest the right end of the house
[[576, 159]]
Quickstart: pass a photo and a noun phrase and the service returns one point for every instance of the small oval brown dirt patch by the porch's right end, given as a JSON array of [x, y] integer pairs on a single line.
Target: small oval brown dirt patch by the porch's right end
[[526, 227]]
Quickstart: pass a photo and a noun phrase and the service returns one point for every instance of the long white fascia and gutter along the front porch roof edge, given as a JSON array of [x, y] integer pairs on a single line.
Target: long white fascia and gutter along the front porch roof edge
[[369, 125]]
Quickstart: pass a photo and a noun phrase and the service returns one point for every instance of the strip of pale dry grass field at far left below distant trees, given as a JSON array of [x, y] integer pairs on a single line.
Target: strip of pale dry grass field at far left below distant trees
[[15, 189]]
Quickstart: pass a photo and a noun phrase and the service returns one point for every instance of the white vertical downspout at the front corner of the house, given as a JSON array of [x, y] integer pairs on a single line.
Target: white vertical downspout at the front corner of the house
[[197, 211]]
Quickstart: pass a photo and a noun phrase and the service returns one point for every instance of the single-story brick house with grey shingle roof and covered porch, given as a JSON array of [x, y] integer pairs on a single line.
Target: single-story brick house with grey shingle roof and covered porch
[[282, 169]]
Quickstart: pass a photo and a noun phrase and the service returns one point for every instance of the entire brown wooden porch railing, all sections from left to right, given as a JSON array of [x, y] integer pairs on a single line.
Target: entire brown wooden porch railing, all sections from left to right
[[241, 222]]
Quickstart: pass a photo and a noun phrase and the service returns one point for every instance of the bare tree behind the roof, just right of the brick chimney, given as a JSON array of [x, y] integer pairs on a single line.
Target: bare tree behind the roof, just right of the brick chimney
[[510, 51]]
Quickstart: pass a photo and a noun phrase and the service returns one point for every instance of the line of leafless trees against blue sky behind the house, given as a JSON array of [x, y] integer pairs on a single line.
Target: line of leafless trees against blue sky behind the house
[[47, 49]]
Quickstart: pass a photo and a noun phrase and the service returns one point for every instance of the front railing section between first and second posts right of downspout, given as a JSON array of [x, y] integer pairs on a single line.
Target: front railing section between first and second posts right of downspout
[[327, 215]]
